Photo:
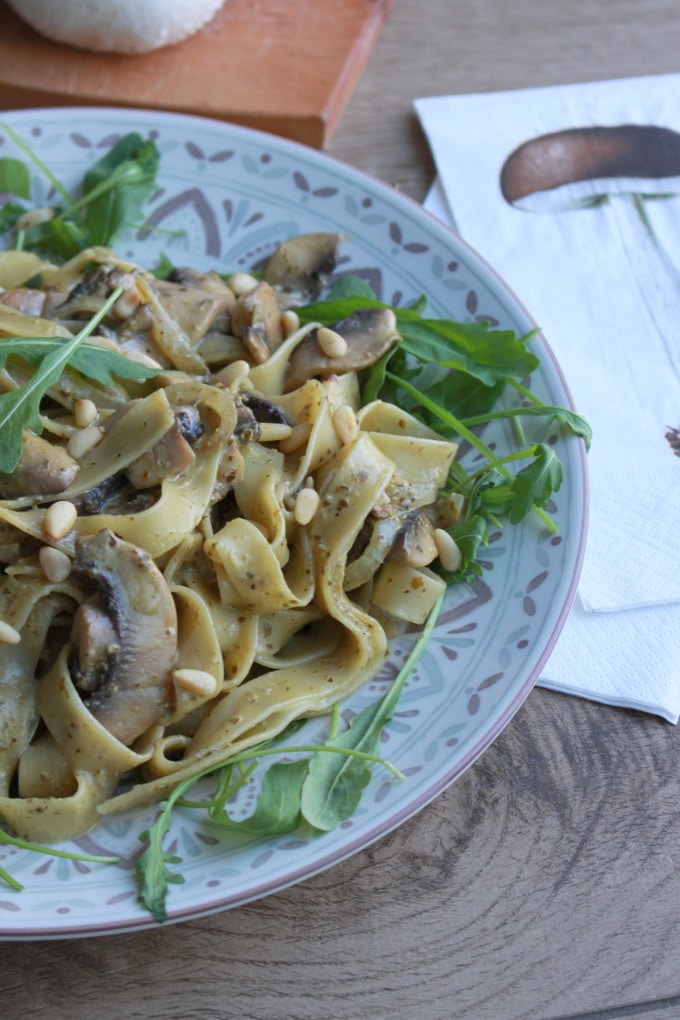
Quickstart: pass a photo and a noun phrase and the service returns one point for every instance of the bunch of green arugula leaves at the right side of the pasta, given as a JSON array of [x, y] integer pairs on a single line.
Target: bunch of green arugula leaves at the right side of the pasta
[[452, 376]]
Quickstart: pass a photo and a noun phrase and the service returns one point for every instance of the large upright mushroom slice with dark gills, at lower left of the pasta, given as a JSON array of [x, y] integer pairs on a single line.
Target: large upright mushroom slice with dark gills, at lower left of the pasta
[[125, 638]]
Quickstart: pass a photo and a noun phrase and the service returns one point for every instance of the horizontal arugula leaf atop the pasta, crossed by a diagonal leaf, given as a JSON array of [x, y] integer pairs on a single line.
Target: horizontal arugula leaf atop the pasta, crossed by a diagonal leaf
[[96, 363]]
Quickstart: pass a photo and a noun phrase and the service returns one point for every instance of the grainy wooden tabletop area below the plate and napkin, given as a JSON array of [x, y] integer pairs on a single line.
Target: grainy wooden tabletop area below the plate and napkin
[[543, 885]]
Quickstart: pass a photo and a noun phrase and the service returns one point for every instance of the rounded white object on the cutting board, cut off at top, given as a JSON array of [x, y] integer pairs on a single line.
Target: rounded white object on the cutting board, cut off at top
[[117, 26]]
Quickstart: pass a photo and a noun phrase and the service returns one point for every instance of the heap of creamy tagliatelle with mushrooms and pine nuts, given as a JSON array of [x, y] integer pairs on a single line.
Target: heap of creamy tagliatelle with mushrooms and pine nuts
[[200, 615]]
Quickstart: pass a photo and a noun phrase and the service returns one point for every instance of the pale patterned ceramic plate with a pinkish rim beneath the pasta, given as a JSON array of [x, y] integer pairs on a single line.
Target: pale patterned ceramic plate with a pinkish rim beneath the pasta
[[236, 194]]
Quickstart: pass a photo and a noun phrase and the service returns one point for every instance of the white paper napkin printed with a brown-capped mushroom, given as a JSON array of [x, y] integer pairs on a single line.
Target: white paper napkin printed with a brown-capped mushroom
[[603, 292]]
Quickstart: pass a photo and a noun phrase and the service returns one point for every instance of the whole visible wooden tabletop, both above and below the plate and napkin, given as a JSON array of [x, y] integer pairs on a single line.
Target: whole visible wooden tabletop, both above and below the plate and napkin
[[546, 883]]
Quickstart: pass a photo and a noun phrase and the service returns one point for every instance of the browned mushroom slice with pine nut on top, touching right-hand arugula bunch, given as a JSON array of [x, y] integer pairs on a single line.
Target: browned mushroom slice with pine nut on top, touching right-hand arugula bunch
[[369, 333]]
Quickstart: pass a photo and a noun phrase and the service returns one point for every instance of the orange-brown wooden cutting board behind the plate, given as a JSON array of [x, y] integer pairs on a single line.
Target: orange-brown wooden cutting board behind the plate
[[287, 67]]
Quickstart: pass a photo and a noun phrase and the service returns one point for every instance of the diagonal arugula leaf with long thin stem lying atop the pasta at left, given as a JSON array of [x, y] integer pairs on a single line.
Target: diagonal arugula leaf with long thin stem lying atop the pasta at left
[[20, 409]]
